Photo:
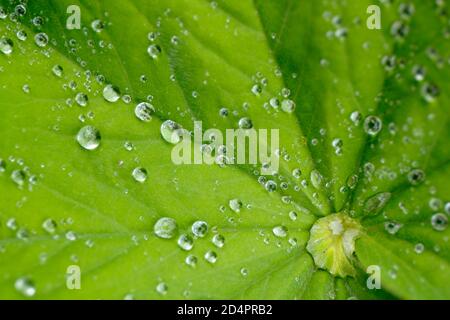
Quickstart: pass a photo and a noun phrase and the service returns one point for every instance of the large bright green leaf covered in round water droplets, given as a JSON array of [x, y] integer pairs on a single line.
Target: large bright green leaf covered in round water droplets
[[207, 56]]
